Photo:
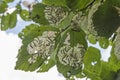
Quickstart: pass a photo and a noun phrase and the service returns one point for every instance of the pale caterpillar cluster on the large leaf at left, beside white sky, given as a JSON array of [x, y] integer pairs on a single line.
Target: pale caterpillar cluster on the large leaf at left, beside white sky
[[41, 46]]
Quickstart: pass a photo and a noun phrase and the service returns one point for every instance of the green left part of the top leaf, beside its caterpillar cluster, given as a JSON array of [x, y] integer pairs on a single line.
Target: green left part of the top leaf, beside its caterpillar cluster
[[38, 15]]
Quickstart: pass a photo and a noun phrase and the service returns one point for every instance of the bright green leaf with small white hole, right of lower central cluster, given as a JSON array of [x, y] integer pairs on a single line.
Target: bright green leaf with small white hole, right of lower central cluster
[[92, 64]]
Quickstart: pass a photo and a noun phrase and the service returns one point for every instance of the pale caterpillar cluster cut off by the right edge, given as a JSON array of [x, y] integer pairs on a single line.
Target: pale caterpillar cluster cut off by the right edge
[[117, 44]]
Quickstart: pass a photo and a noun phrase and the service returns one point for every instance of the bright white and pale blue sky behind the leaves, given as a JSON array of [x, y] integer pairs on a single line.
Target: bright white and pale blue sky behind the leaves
[[9, 45]]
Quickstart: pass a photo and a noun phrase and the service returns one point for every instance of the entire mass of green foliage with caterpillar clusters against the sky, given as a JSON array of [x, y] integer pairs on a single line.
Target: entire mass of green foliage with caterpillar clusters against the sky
[[60, 35]]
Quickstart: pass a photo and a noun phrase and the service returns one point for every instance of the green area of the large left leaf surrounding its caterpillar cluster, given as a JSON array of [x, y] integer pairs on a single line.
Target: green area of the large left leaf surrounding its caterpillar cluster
[[27, 35]]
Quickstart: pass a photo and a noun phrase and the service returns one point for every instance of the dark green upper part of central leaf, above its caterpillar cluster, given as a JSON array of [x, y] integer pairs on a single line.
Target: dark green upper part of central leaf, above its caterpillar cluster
[[77, 37]]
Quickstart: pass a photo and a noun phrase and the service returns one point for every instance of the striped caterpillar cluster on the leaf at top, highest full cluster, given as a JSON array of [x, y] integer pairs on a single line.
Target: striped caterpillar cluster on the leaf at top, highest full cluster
[[55, 14]]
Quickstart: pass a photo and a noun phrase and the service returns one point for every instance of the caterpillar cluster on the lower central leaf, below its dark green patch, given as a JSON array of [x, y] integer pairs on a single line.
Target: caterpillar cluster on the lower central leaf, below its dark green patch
[[72, 56]]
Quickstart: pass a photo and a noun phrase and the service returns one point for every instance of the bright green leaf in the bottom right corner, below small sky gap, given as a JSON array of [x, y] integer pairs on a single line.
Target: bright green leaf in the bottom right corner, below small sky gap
[[110, 68]]
